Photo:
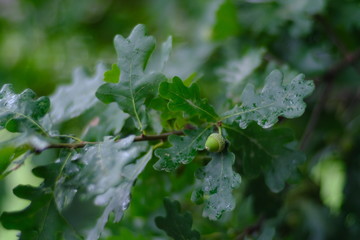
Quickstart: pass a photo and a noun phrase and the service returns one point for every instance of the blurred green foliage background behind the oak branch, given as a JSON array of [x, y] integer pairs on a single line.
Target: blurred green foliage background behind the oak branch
[[220, 42]]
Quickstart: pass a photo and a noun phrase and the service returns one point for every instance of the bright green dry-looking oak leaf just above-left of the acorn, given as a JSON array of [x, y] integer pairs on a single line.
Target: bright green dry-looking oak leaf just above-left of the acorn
[[187, 99]]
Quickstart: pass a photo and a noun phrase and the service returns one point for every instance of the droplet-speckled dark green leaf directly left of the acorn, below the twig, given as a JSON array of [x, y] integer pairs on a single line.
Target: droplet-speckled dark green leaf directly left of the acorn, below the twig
[[183, 149]]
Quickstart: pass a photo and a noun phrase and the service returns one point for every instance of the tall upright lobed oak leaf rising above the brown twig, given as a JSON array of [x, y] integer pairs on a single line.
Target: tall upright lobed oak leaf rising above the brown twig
[[136, 85]]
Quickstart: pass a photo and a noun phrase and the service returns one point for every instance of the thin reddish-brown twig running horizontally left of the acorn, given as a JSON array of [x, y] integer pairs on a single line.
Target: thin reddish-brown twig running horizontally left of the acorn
[[140, 138]]
